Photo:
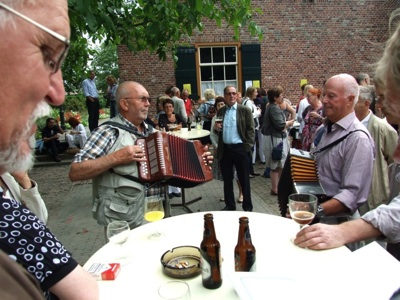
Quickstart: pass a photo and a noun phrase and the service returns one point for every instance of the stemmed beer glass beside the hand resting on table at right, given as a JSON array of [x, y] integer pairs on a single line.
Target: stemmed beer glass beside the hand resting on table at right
[[302, 208]]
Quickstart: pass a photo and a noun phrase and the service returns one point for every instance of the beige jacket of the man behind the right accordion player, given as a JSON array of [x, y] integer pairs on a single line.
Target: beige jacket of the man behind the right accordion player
[[385, 138]]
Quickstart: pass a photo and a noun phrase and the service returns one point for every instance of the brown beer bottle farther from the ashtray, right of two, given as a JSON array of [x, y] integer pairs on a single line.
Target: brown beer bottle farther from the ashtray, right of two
[[245, 252]]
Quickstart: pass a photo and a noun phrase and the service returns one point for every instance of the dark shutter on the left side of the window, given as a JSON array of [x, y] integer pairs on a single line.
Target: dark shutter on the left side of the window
[[185, 71]]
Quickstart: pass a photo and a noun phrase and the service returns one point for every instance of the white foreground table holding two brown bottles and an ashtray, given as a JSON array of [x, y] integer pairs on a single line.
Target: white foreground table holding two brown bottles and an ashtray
[[331, 272]]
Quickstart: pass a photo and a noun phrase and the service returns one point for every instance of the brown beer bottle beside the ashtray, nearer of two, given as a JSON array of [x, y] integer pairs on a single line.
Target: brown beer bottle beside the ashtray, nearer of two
[[210, 251]]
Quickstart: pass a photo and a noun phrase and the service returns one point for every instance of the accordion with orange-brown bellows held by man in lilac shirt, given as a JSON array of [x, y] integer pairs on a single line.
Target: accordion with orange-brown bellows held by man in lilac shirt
[[299, 175]]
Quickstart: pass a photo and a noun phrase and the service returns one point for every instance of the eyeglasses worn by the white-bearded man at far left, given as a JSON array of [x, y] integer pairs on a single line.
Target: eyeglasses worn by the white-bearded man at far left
[[53, 65]]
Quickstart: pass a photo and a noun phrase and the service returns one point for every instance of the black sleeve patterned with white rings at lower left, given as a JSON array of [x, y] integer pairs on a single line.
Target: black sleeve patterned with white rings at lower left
[[27, 240]]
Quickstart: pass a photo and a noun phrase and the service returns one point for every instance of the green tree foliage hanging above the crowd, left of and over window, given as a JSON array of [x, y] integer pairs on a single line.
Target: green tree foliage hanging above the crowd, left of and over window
[[154, 25]]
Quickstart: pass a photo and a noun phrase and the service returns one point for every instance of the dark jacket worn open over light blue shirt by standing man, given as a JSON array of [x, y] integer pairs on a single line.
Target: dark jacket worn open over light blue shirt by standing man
[[245, 126]]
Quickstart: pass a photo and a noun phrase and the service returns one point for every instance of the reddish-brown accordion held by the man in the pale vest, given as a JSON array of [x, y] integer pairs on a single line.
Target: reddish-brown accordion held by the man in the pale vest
[[173, 160]]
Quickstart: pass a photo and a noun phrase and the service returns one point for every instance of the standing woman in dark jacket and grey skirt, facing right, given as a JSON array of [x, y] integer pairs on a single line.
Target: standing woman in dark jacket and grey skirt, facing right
[[275, 127]]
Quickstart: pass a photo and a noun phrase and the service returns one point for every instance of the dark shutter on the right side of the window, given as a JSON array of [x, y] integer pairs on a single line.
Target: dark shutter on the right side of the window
[[251, 64]]
